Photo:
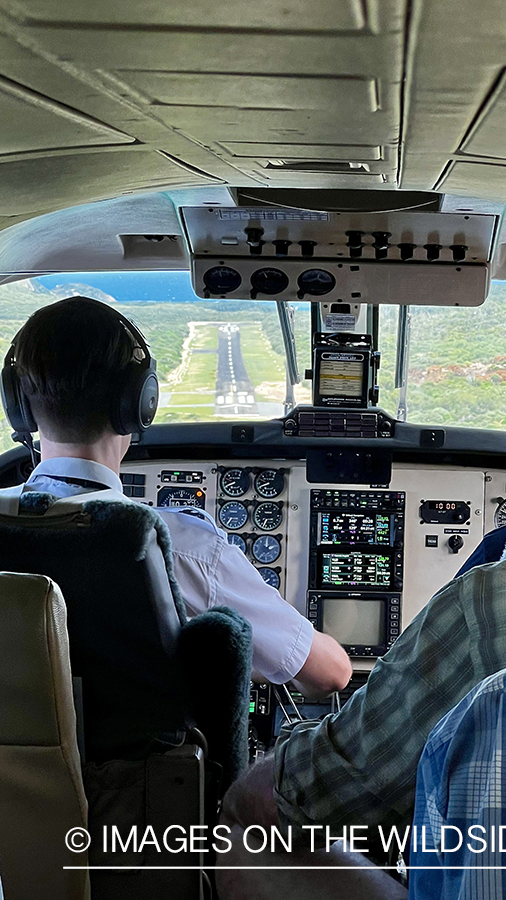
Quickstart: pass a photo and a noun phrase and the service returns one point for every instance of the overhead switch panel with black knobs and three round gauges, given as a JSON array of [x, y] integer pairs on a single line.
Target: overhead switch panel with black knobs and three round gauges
[[413, 258]]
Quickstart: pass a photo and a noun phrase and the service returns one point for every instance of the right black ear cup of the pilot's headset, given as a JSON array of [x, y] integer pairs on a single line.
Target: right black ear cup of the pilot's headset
[[136, 405]]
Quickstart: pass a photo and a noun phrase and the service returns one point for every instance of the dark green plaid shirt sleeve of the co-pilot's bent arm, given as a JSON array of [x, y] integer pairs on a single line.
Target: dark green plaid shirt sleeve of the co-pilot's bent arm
[[359, 766]]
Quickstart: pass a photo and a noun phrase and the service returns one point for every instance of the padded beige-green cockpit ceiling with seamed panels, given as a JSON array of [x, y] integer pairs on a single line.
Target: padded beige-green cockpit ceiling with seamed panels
[[108, 97]]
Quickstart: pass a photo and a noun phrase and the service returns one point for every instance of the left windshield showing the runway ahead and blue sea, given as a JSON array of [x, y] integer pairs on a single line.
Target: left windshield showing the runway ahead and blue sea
[[215, 359]]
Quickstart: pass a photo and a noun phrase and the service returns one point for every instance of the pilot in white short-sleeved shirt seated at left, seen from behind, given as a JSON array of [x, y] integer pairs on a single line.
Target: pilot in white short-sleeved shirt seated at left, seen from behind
[[72, 359]]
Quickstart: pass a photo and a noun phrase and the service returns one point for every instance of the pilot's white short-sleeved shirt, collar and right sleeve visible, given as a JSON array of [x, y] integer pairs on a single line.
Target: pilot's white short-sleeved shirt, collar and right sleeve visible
[[210, 572]]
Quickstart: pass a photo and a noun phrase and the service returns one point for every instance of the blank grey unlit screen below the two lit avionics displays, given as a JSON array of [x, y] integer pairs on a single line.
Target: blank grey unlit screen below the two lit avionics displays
[[355, 622]]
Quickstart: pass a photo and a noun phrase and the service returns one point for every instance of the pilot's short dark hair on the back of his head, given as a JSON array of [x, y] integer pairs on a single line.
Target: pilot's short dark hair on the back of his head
[[71, 359]]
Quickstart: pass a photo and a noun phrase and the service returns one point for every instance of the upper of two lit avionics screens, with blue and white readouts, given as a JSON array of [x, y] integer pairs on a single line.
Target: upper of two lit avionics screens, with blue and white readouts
[[355, 528]]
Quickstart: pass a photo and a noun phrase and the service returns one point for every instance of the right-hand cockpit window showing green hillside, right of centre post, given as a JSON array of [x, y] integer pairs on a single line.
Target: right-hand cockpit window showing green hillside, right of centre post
[[457, 363]]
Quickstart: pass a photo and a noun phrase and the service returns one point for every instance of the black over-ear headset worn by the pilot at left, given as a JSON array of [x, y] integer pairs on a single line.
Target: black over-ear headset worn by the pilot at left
[[133, 407]]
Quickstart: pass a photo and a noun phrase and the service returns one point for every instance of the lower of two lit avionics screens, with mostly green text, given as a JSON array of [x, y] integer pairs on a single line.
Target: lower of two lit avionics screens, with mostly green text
[[356, 569]]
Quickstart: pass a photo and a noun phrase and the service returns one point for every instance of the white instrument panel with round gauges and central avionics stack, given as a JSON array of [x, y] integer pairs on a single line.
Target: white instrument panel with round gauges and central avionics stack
[[267, 508]]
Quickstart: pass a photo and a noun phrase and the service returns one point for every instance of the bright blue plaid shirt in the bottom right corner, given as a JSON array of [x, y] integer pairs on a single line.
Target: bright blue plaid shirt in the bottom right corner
[[461, 787]]
